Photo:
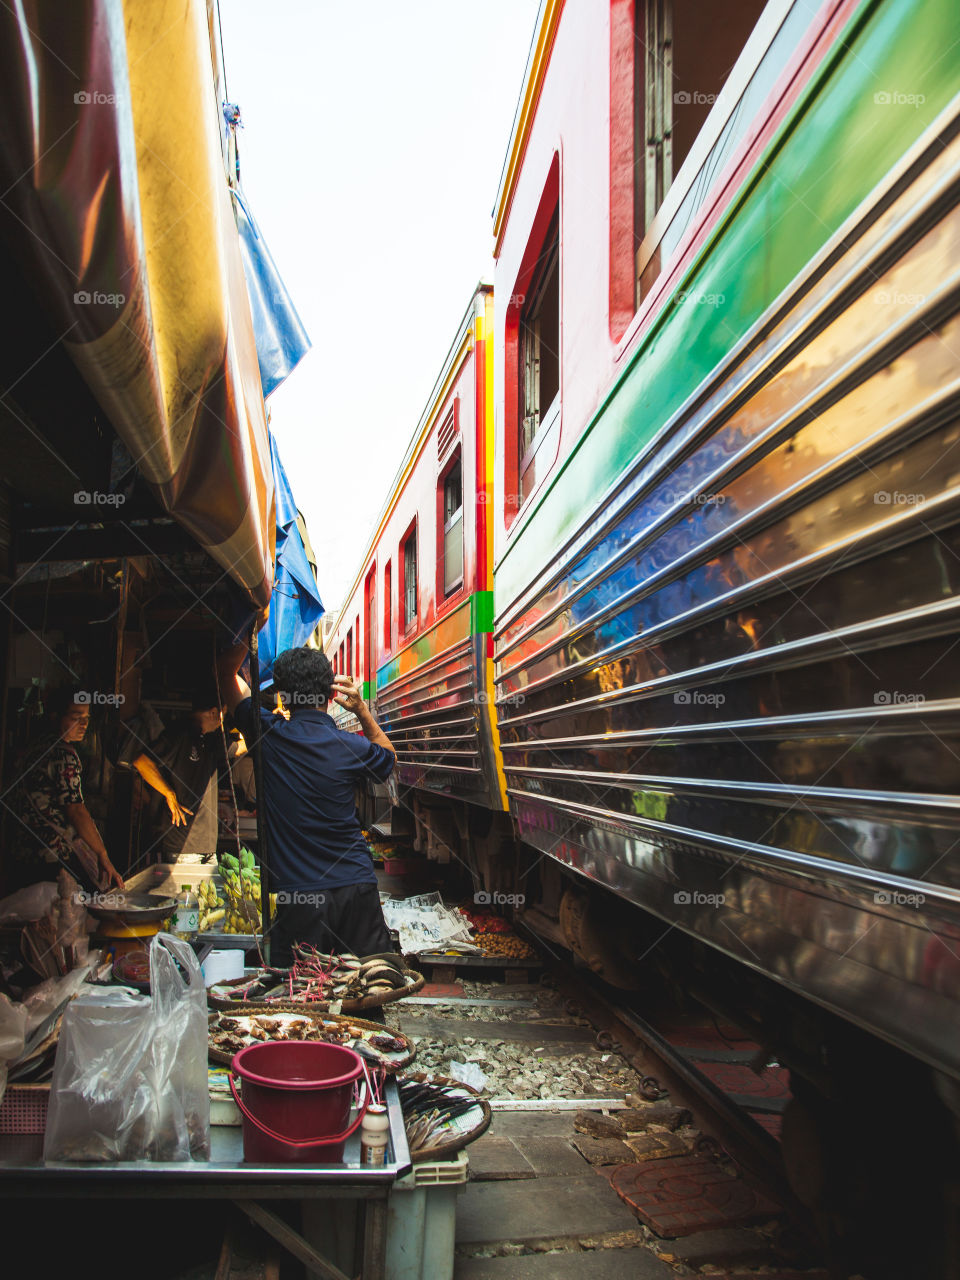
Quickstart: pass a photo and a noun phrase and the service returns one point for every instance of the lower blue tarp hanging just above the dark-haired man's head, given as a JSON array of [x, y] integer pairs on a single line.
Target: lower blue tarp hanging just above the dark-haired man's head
[[296, 607]]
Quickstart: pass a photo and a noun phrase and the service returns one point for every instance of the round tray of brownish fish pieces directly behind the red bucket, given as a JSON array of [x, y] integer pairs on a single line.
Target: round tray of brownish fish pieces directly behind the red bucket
[[230, 1034]]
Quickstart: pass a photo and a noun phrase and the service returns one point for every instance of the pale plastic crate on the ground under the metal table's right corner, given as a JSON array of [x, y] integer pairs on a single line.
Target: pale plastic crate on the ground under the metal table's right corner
[[422, 1220]]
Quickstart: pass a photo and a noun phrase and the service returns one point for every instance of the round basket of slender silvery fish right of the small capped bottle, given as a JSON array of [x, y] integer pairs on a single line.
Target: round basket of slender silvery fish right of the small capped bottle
[[441, 1116]]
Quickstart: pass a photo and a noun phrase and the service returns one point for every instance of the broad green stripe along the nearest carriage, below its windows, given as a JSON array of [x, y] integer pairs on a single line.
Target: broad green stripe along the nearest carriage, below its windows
[[828, 157]]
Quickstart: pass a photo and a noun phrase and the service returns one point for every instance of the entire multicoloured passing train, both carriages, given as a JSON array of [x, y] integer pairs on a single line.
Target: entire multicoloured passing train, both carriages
[[662, 610]]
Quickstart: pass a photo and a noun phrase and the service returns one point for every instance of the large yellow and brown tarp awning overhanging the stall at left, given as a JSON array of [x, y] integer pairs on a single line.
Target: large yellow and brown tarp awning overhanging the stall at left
[[112, 167]]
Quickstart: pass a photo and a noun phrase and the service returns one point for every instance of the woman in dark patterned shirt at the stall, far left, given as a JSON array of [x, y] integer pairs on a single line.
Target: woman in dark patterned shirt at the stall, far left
[[49, 826]]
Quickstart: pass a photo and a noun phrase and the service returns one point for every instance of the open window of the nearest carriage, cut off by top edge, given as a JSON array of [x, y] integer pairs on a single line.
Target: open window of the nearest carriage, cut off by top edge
[[684, 53]]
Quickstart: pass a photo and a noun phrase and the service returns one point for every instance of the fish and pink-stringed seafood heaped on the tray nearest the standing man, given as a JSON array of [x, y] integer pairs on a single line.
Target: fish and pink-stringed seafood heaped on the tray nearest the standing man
[[318, 977]]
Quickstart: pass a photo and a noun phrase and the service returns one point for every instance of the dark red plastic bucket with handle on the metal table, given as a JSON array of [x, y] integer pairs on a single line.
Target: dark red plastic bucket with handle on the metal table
[[296, 1100]]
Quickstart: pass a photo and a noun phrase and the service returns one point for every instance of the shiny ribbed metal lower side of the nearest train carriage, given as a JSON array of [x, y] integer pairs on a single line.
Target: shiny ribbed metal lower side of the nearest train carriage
[[738, 676]]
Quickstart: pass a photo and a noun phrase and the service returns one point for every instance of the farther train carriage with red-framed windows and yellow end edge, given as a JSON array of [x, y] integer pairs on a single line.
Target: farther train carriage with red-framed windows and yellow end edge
[[417, 624]]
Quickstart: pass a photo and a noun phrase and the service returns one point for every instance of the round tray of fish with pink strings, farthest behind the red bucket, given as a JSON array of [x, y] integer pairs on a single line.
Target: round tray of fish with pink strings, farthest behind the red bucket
[[323, 982]]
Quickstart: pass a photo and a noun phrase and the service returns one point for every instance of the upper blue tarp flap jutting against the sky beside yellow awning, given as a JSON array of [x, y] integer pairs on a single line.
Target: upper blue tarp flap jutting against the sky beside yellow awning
[[282, 341]]
